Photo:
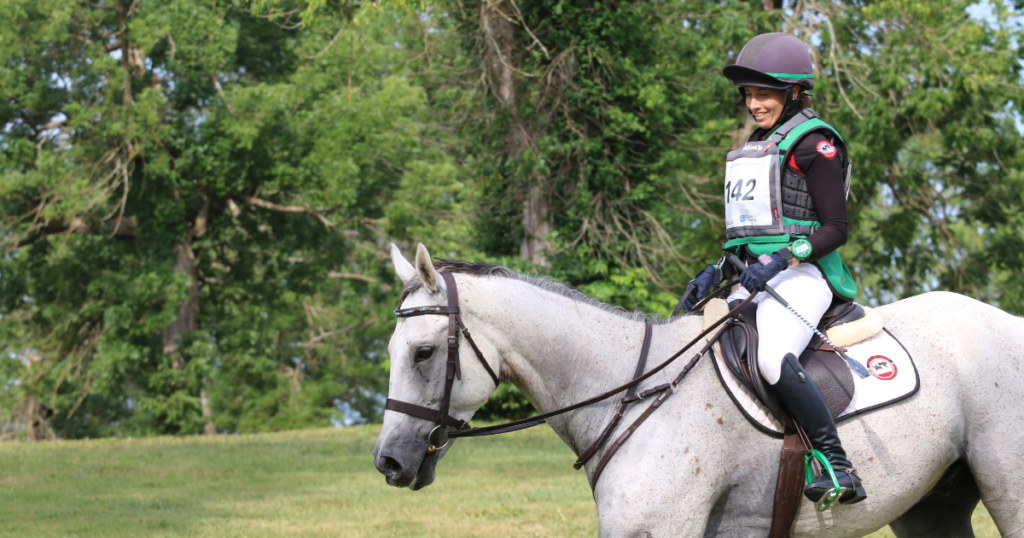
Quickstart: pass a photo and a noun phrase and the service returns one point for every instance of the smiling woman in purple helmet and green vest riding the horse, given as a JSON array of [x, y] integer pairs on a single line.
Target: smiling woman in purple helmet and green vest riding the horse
[[787, 217]]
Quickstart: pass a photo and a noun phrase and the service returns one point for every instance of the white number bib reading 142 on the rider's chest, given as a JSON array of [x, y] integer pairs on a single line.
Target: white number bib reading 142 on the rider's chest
[[753, 201]]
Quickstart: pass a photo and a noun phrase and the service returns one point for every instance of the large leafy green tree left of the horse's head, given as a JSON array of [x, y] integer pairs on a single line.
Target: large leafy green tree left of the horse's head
[[194, 201]]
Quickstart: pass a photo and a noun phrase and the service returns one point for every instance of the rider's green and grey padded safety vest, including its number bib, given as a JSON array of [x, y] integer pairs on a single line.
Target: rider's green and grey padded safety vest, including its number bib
[[767, 204]]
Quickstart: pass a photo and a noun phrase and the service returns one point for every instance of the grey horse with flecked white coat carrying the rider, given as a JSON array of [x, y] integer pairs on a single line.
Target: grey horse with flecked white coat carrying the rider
[[698, 468]]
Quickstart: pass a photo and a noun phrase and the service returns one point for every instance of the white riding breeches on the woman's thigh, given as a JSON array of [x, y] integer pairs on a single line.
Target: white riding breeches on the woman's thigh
[[781, 333]]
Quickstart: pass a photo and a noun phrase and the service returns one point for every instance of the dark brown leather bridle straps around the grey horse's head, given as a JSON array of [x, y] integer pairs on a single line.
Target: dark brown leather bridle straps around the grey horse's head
[[439, 437]]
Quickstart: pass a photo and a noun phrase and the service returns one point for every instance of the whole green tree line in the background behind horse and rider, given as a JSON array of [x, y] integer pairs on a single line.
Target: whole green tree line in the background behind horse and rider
[[196, 198]]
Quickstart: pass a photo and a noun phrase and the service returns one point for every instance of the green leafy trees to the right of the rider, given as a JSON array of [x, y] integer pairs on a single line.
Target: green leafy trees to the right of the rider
[[929, 107]]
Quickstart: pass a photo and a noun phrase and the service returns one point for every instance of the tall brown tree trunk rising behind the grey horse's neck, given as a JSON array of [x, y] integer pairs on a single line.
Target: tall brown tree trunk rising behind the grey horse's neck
[[501, 60]]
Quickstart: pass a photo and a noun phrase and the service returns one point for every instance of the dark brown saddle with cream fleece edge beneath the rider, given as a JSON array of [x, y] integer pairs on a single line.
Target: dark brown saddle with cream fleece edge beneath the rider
[[845, 323]]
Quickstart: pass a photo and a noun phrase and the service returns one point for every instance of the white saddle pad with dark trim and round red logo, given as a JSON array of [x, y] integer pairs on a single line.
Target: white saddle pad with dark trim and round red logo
[[894, 378]]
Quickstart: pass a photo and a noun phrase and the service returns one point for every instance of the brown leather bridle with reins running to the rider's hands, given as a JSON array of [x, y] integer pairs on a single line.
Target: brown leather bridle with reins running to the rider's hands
[[450, 428]]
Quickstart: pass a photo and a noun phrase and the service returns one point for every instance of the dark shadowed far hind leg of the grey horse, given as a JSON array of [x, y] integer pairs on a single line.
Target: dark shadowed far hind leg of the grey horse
[[946, 512]]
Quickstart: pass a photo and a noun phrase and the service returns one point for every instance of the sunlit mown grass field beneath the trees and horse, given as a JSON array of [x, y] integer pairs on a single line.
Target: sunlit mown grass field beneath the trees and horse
[[312, 483]]
